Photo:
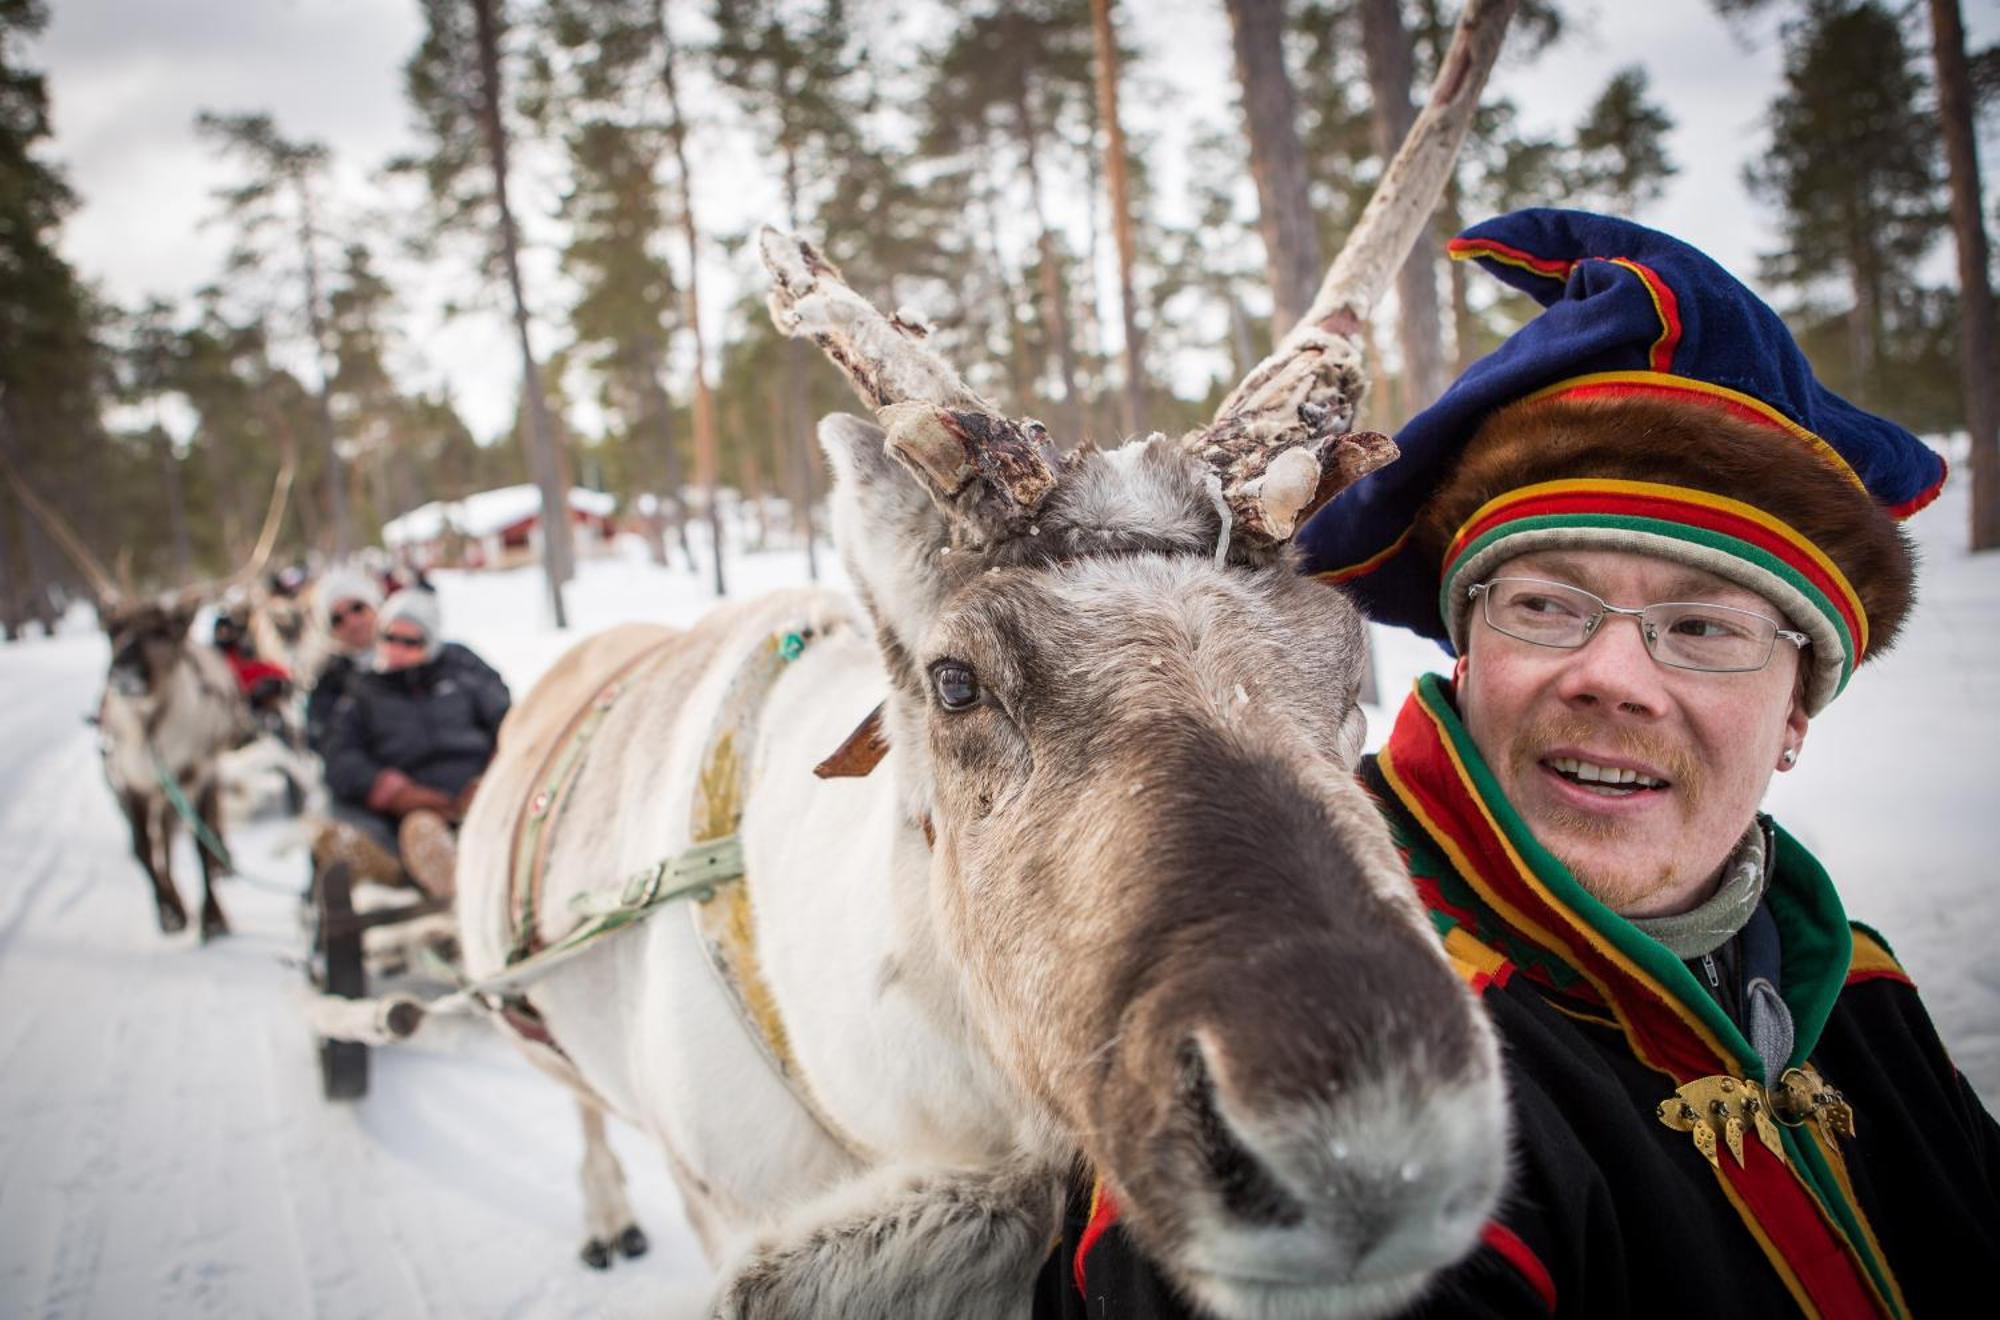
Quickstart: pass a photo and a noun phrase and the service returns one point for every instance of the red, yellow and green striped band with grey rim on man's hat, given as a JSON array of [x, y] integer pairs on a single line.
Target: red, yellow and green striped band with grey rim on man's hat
[[1735, 541]]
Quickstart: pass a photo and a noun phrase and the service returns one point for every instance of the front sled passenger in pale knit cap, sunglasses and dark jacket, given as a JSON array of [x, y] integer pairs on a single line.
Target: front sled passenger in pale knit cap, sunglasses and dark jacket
[[411, 739]]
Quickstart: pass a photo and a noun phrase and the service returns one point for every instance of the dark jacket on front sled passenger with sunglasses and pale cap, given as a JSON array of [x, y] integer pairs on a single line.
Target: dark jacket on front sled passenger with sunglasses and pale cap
[[433, 723]]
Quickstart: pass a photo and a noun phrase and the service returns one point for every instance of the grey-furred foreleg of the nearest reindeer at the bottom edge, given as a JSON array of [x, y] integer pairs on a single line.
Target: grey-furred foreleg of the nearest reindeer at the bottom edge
[[905, 1243]]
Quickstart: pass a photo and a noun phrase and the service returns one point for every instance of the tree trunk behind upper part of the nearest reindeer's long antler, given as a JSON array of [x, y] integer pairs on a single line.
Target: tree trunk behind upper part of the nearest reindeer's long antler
[[1391, 73]]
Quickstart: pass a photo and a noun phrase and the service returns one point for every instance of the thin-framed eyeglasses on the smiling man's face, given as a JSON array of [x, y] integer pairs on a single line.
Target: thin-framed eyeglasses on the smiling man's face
[[1687, 635]]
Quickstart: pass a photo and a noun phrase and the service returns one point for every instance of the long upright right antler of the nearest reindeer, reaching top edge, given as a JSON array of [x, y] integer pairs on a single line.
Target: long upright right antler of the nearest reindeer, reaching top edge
[[1281, 441]]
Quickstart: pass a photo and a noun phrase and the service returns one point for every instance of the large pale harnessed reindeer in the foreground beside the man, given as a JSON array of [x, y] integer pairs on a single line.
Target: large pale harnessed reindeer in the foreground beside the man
[[1111, 895]]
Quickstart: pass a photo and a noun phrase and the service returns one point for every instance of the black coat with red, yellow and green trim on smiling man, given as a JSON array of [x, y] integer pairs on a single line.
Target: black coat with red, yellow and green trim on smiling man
[[1885, 1207]]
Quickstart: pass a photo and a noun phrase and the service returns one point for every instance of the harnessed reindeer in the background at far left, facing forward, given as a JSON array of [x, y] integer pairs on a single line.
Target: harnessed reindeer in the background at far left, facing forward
[[171, 709]]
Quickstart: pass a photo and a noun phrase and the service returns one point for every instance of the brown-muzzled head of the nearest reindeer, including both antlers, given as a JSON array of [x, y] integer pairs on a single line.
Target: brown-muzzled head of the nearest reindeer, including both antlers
[[1181, 925]]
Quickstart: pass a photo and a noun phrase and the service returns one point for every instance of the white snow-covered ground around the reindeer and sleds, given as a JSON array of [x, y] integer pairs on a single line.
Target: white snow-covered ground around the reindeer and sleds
[[165, 1149]]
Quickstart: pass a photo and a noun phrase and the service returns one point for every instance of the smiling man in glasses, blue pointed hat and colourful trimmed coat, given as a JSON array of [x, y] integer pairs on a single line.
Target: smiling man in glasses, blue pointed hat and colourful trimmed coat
[[1657, 549]]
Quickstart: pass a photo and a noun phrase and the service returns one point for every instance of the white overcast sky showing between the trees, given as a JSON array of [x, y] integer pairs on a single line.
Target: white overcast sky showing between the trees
[[129, 77]]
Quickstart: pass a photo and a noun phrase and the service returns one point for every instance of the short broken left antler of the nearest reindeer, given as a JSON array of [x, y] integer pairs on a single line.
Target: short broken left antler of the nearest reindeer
[[937, 425]]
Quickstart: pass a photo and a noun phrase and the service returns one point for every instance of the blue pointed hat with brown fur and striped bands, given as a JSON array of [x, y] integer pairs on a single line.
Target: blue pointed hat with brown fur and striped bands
[[1655, 405]]
